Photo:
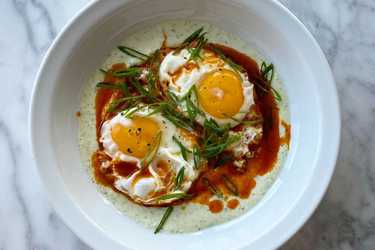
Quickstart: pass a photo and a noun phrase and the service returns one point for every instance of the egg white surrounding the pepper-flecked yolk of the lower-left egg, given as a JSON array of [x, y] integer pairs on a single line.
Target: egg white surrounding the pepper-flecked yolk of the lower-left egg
[[142, 189]]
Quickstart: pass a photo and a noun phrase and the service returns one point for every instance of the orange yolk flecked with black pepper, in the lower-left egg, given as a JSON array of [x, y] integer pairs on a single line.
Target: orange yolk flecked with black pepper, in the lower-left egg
[[137, 138]]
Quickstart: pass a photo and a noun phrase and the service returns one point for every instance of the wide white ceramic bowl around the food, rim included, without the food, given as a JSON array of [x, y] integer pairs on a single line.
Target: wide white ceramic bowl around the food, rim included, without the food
[[84, 43]]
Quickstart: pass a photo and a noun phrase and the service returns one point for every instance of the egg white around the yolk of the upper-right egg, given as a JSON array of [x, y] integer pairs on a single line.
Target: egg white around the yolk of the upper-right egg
[[181, 86]]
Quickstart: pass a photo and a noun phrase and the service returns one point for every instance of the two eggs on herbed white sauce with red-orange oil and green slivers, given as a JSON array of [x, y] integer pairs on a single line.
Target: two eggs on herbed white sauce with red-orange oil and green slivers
[[184, 123]]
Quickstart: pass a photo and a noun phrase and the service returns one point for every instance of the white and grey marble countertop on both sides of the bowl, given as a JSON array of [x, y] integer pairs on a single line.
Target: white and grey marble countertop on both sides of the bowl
[[345, 219]]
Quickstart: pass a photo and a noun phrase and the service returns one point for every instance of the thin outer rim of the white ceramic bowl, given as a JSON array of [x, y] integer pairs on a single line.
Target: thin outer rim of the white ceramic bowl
[[283, 237]]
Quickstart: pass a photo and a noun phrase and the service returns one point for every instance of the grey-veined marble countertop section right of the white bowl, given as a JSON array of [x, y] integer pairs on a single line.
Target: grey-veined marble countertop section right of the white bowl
[[345, 29]]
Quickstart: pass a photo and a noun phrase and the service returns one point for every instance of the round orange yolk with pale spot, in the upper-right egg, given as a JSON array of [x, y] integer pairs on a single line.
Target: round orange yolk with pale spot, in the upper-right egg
[[220, 93]]
